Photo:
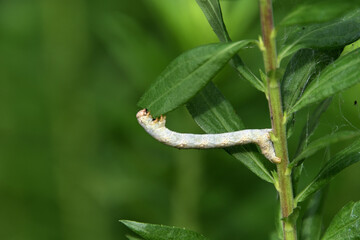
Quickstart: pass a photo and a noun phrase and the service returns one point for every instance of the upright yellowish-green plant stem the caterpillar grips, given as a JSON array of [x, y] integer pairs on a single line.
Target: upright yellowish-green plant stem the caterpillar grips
[[277, 119]]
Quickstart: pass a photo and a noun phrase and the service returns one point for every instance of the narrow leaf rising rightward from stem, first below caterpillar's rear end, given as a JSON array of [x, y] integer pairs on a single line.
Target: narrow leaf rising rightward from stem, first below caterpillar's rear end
[[339, 162]]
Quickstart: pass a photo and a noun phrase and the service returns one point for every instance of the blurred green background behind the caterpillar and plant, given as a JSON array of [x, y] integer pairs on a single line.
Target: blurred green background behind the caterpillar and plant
[[73, 160]]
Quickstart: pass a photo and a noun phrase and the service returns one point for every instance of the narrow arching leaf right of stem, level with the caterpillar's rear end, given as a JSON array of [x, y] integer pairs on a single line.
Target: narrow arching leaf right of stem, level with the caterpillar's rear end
[[323, 142]]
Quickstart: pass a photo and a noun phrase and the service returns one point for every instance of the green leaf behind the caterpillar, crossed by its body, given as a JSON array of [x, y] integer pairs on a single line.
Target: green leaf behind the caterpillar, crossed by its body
[[214, 114]]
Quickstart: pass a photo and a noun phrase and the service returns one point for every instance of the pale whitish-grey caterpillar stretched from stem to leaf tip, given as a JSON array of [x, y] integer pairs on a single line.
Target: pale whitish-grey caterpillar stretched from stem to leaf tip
[[156, 128]]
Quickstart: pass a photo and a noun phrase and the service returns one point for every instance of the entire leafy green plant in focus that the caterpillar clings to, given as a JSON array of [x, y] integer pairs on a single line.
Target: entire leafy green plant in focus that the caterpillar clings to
[[318, 69]]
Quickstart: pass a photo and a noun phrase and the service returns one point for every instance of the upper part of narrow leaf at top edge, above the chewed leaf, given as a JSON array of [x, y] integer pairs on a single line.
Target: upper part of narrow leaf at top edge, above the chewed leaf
[[212, 12]]
